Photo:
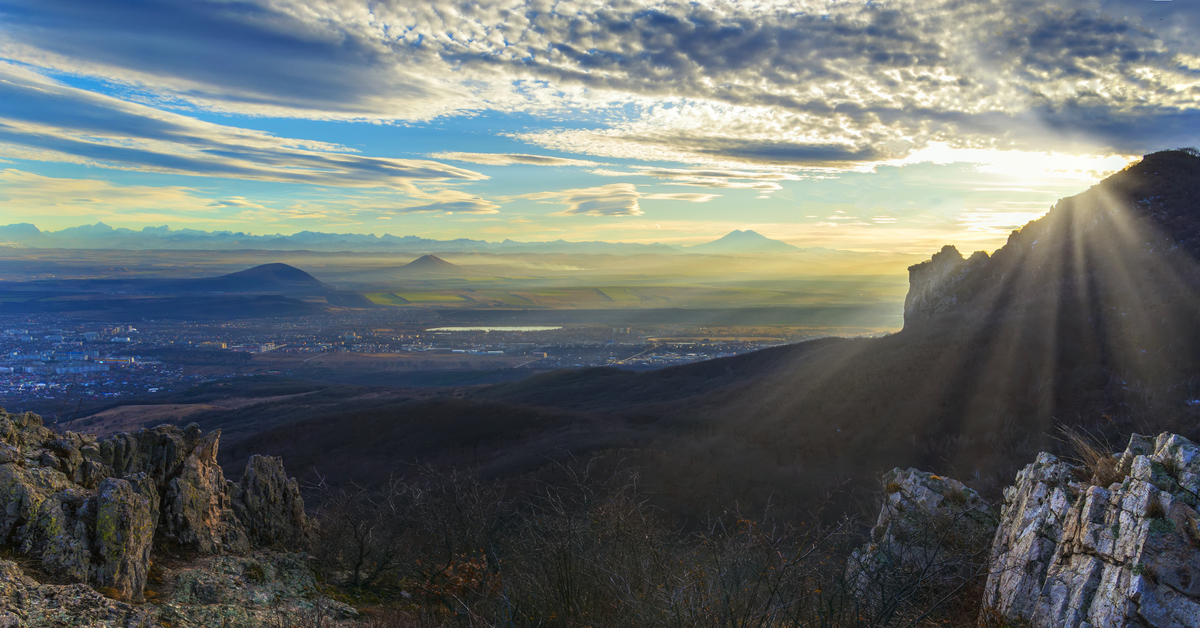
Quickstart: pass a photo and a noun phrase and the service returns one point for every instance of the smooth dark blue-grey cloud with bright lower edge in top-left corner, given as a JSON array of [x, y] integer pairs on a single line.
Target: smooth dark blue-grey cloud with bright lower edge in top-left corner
[[316, 61]]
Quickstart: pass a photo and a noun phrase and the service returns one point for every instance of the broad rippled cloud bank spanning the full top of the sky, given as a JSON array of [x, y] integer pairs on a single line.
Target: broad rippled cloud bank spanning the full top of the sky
[[808, 85]]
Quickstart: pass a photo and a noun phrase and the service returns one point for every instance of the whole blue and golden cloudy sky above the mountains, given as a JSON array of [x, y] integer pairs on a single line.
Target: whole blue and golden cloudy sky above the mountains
[[861, 125]]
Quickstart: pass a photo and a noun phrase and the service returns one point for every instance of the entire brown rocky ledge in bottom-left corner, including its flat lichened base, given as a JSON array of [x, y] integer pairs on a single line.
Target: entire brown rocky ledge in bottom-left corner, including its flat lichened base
[[87, 516]]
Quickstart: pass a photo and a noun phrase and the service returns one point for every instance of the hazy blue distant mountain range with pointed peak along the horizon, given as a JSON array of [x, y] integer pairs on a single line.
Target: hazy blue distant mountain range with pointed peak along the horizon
[[101, 236]]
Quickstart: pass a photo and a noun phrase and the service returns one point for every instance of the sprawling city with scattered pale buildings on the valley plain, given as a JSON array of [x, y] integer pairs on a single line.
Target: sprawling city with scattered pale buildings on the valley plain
[[63, 366]]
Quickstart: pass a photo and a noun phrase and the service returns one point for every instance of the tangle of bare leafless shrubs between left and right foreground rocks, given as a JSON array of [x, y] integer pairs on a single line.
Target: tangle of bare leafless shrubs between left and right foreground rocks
[[593, 552]]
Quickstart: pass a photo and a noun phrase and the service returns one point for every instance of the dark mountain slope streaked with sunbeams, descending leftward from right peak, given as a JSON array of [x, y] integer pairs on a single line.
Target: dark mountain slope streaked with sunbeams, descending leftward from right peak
[[1088, 318]]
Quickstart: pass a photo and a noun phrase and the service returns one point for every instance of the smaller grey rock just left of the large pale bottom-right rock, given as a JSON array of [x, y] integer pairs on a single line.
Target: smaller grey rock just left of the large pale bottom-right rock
[[931, 525]]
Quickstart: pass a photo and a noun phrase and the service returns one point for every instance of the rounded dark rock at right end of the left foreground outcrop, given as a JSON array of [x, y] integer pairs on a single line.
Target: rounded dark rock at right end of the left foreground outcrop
[[269, 503]]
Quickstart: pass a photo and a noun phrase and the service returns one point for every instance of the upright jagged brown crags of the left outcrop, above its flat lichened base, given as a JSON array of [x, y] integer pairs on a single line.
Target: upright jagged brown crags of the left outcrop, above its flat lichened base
[[92, 511]]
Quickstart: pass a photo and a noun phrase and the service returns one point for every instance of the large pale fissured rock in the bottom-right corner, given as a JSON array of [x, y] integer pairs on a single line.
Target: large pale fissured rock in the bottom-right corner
[[1127, 554]]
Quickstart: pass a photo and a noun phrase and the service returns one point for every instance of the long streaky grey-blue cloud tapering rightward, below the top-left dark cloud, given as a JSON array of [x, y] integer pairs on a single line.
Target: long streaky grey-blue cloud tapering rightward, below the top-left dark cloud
[[46, 121]]
